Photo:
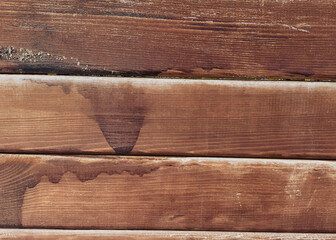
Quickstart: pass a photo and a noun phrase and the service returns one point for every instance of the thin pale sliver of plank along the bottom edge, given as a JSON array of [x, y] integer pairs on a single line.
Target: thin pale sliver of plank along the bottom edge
[[8, 234]]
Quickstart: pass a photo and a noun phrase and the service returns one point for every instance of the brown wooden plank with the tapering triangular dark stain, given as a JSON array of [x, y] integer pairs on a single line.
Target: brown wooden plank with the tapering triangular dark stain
[[56, 114]]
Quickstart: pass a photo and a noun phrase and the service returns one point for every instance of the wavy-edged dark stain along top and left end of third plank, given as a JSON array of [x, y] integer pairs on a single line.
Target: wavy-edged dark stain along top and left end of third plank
[[16, 175]]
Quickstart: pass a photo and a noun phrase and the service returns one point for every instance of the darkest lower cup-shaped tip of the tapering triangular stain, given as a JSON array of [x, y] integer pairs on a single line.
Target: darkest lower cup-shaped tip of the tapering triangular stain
[[120, 131]]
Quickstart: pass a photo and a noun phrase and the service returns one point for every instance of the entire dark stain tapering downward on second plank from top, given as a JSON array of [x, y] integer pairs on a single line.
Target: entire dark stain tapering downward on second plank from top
[[119, 110]]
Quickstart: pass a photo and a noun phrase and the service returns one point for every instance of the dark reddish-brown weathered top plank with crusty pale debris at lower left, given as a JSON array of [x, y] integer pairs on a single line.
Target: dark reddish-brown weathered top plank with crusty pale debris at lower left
[[253, 38]]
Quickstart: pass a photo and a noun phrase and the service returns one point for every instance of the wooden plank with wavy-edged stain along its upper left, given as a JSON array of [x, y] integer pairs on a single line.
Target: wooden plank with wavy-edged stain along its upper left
[[79, 192]]
